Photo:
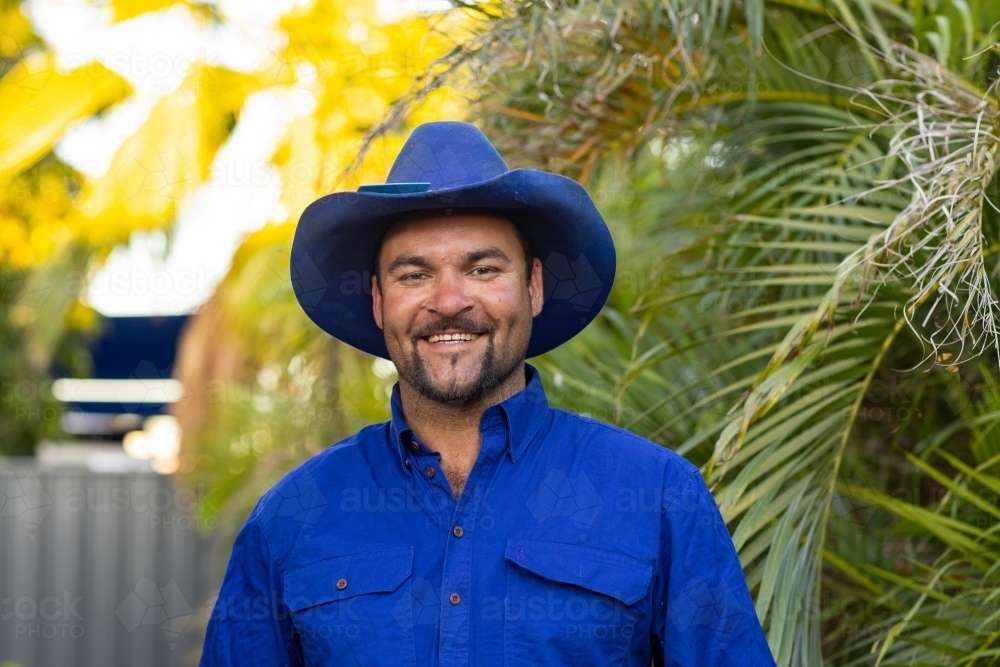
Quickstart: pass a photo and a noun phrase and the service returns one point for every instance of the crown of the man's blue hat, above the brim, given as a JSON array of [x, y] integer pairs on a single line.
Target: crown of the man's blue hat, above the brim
[[446, 154]]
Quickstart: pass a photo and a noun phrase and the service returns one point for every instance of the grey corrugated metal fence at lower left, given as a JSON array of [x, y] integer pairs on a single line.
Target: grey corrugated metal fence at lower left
[[99, 569]]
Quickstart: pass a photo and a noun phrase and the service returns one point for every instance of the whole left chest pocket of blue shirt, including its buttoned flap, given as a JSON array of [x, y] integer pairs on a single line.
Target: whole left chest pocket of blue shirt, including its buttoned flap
[[354, 609]]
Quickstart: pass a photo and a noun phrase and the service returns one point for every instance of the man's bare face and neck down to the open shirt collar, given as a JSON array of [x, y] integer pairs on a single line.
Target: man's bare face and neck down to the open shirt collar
[[456, 305]]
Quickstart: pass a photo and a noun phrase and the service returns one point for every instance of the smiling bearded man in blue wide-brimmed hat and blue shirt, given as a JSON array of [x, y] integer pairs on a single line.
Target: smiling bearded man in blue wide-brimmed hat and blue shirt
[[477, 526]]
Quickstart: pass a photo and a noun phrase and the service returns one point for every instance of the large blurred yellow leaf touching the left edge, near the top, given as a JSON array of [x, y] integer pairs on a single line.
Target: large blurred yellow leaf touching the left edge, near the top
[[40, 103]]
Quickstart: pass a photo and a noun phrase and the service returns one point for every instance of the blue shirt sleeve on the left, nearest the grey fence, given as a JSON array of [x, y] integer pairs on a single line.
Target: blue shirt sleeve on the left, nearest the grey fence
[[250, 624]]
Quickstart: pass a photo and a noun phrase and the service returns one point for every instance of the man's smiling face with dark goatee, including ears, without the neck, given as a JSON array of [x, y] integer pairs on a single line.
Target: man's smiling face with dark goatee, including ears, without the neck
[[455, 303]]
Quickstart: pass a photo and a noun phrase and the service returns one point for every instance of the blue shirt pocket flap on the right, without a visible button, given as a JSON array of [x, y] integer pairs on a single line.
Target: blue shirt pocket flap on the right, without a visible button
[[621, 577]]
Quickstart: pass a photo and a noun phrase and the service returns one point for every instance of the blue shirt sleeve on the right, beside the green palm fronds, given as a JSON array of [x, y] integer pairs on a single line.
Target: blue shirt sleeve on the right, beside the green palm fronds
[[704, 615]]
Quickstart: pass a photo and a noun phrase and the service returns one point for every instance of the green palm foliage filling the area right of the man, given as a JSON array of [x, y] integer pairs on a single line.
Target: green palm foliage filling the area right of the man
[[804, 198]]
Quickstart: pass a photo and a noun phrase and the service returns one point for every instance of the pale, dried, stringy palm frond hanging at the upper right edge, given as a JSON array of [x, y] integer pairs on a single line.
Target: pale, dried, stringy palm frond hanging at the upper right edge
[[946, 133]]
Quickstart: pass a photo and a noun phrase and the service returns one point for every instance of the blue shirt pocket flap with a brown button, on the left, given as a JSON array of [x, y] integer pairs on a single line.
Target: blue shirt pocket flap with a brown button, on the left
[[346, 576]]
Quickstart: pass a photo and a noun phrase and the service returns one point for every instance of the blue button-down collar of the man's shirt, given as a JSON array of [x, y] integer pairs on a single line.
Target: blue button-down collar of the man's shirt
[[523, 413]]
